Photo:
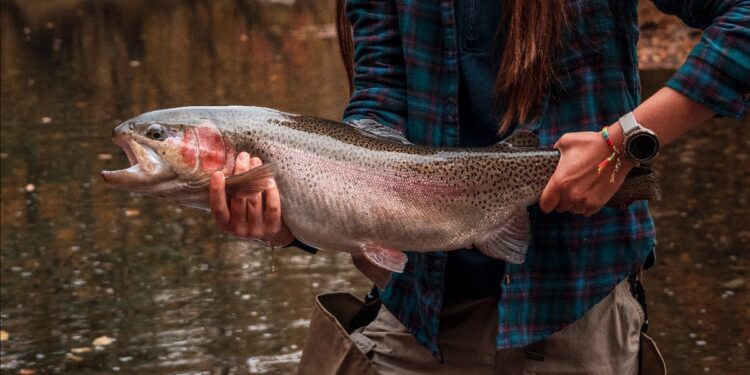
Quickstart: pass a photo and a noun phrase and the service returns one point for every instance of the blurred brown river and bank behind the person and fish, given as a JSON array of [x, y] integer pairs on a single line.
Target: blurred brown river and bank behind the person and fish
[[95, 280]]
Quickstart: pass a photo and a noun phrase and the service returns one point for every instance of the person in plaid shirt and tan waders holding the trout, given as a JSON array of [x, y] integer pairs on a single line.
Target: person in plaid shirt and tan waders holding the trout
[[468, 74]]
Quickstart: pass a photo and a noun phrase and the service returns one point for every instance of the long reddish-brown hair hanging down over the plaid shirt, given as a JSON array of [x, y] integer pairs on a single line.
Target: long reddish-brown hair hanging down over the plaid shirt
[[533, 39]]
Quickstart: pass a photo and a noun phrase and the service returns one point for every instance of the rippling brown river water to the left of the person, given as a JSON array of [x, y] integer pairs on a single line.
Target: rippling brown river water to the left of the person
[[79, 260]]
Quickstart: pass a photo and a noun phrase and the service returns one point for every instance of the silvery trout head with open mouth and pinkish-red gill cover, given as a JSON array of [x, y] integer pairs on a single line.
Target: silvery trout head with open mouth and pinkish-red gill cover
[[170, 157]]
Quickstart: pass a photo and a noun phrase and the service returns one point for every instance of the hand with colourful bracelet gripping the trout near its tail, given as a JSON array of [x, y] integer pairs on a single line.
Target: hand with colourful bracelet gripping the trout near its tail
[[576, 186]]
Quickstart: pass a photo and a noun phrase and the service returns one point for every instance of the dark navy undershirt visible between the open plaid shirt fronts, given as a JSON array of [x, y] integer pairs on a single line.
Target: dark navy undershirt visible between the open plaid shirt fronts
[[469, 273]]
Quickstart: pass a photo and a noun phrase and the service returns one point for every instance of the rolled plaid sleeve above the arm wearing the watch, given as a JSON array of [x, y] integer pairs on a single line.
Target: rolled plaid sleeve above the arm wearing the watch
[[717, 71]]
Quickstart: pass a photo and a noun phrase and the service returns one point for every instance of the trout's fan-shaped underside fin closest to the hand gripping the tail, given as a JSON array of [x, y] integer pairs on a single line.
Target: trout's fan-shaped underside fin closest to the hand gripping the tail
[[510, 241]]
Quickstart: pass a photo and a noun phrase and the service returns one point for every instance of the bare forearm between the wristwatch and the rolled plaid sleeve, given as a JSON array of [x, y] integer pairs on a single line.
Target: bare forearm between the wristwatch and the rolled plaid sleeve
[[667, 113]]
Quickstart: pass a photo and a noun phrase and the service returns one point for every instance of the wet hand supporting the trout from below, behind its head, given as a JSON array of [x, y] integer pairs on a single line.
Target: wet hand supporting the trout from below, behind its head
[[249, 216]]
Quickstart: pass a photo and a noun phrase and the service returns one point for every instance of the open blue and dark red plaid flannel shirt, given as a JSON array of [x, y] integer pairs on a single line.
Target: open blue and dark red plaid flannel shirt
[[406, 77]]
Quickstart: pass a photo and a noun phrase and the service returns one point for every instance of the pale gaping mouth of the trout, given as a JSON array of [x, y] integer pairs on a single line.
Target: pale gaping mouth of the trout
[[146, 167]]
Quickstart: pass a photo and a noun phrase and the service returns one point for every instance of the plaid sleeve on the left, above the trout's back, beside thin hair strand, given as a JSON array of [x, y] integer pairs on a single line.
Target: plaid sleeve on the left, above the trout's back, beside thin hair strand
[[379, 74]]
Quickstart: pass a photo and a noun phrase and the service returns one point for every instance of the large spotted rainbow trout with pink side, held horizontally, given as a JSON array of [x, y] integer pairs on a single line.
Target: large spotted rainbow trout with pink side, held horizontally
[[347, 189]]
